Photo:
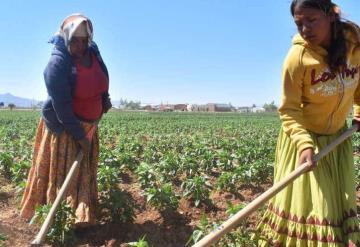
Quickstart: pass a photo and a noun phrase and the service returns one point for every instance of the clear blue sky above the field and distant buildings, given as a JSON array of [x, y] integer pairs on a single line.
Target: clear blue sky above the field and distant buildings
[[185, 51]]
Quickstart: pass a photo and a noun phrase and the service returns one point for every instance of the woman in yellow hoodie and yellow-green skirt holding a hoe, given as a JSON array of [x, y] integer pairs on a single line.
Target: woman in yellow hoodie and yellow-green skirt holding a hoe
[[320, 85]]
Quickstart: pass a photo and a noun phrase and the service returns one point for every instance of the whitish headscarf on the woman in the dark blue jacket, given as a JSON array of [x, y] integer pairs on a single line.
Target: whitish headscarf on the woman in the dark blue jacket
[[79, 25]]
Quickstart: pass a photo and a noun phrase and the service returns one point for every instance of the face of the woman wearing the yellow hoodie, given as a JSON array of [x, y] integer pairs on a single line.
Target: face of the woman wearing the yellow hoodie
[[313, 25]]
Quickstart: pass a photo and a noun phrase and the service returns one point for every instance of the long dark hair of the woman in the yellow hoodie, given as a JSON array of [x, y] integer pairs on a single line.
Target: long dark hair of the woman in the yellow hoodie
[[337, 50]]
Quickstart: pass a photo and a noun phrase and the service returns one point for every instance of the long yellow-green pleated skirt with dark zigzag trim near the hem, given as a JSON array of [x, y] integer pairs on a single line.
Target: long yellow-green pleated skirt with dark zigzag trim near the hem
[[319, 208]]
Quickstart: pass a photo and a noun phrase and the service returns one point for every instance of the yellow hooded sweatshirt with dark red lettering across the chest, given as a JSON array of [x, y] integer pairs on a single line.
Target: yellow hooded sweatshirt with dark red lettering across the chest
[[313, 98]]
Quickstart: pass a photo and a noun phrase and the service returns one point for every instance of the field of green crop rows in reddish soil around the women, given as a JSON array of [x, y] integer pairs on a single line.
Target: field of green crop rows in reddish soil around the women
[[164, 179]]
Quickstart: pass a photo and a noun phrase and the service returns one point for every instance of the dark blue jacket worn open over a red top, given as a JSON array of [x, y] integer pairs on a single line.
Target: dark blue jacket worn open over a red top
[[60, 79]]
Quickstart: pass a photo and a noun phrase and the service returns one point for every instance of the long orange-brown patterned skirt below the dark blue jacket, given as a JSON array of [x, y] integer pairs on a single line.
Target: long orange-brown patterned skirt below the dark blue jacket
[[52, 159]]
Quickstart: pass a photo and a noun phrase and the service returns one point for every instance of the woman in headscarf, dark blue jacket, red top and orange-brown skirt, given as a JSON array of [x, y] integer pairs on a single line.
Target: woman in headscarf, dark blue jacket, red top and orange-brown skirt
[[77, 82]]
